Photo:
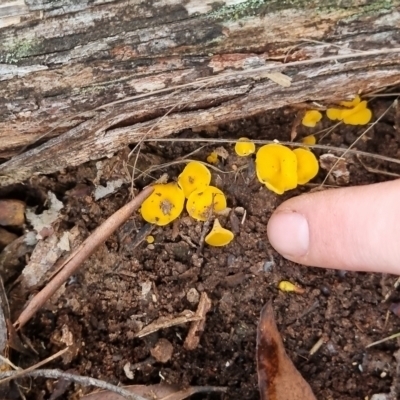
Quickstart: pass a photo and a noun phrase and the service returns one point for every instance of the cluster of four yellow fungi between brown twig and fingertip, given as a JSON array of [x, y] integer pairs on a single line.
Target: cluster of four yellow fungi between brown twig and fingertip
[[203, 201]]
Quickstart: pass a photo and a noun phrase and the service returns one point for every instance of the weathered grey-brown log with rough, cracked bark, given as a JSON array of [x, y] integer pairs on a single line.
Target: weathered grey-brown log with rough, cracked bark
[[82, 79]]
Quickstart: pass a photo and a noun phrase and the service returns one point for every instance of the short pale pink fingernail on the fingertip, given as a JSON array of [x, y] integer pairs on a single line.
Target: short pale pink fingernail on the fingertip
[[288, 233]]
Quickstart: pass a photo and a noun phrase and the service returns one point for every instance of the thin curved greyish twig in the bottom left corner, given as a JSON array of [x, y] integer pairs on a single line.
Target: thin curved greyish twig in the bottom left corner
[[82, 380]]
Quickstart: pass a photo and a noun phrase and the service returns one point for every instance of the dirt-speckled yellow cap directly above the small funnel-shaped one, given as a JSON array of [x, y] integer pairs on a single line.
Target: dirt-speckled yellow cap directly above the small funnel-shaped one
[[200, 202]]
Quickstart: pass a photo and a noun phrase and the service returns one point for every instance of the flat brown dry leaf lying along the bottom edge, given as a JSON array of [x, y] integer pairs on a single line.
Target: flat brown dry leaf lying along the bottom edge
[[155, 392]]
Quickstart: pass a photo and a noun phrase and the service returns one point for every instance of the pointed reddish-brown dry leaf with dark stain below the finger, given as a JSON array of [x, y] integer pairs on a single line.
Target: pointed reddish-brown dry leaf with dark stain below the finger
[[278, 378]]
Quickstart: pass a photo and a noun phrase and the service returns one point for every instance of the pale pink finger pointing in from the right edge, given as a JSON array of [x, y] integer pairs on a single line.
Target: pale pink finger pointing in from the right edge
[[356, 228]]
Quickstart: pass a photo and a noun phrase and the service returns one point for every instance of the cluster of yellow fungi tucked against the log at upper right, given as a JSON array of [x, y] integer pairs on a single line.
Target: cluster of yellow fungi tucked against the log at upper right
[[354, 112]]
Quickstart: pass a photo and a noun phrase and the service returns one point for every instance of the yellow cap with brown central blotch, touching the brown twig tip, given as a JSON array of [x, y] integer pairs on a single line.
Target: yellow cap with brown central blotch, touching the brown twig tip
[[164, 205]]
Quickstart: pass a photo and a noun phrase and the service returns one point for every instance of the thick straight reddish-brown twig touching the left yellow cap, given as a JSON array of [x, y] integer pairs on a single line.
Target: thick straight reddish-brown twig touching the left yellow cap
[[84, 251]]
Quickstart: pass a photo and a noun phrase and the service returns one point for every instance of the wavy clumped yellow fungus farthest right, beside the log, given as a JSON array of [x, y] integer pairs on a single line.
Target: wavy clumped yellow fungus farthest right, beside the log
[[359, 114]]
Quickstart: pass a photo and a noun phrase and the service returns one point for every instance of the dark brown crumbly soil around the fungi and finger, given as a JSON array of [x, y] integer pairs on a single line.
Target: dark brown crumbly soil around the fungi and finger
[[129, 283]]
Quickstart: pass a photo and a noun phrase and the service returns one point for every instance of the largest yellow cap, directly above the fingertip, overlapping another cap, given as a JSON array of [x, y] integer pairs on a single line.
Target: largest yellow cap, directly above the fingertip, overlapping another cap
[[276, 167]]
